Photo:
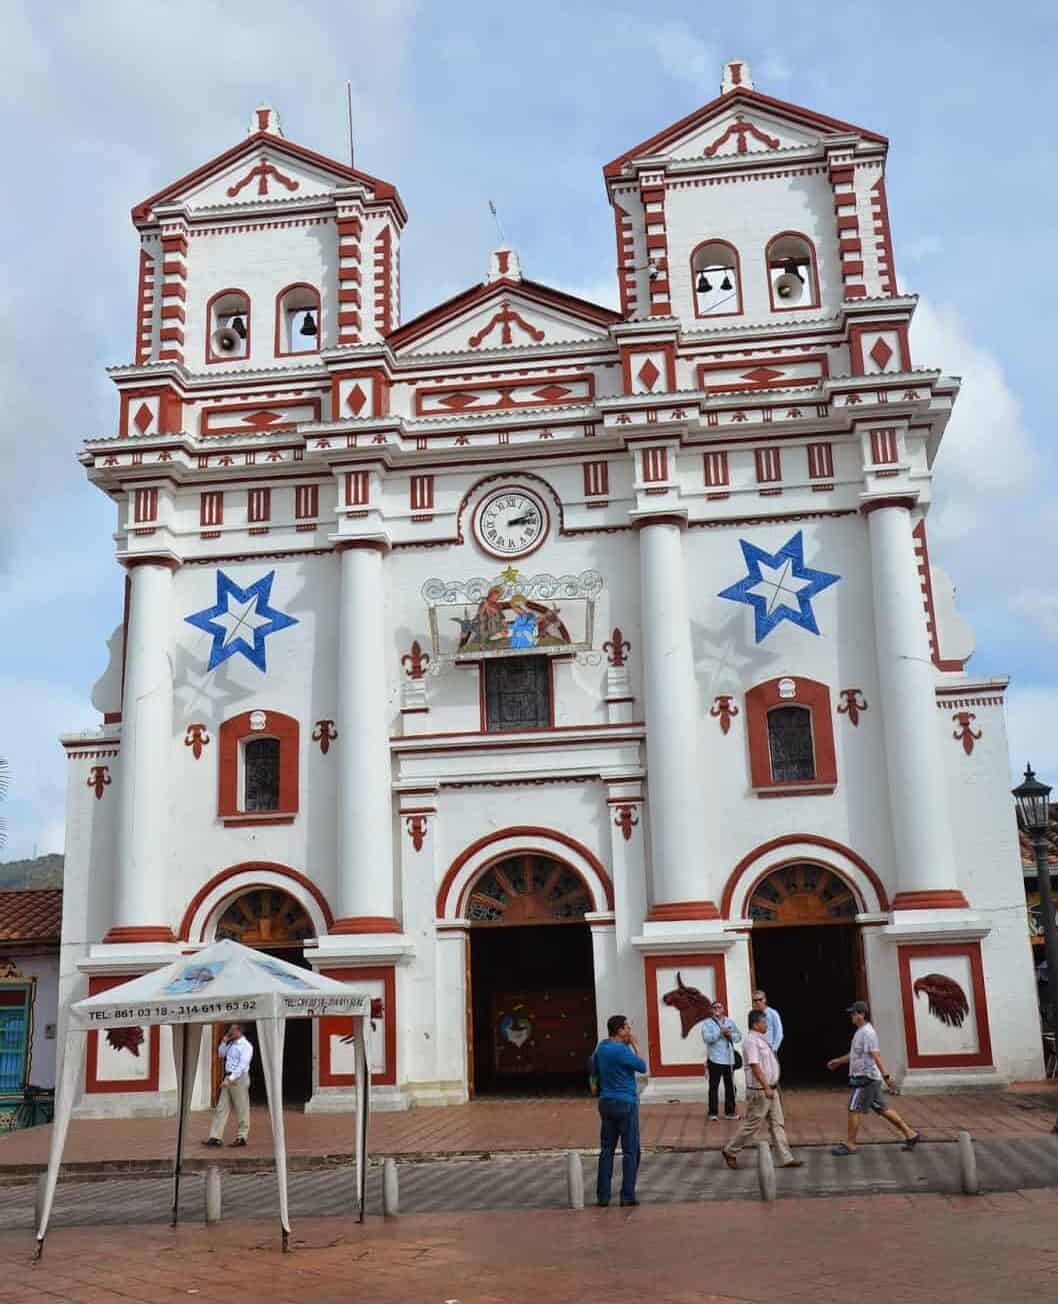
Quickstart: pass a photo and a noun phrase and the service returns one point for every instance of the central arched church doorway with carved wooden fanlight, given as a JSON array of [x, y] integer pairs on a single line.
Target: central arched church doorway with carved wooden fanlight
[[532, 992]]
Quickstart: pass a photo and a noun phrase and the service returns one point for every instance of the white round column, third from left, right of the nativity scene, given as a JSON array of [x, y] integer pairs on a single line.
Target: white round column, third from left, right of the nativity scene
[[671, 702]]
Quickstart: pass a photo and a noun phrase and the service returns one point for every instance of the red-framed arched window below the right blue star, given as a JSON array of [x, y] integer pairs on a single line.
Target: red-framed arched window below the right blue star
[[791, 739]]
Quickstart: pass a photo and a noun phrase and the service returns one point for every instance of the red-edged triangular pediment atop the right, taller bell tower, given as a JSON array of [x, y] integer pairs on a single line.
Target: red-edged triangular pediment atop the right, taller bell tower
[[736, 125]]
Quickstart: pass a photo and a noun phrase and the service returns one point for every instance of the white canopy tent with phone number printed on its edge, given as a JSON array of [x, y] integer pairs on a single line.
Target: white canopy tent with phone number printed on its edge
[[221, 984]]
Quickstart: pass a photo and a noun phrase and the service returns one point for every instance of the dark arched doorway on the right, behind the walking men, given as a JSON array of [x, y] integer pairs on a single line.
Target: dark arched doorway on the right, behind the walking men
[[808, 958]]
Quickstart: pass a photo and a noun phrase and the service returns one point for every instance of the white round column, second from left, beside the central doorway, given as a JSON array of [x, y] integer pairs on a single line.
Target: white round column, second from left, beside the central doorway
[[366, 876]]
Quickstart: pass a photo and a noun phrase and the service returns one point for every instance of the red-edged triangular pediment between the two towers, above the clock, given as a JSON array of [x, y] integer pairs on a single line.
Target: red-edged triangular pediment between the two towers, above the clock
[[504, 314]]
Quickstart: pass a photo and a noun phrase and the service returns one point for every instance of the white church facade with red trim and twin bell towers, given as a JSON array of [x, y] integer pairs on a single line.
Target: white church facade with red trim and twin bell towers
[[532, 660]]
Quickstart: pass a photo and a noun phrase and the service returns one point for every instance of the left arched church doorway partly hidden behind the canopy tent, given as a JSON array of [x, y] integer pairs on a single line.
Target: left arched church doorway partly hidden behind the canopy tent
[[271, 920]]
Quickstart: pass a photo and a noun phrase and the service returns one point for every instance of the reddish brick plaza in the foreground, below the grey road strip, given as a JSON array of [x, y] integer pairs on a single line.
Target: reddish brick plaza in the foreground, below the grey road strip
[[995, 1250]]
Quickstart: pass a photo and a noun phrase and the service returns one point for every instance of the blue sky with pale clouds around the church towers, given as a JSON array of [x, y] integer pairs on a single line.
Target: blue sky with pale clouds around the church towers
[[105, 102]]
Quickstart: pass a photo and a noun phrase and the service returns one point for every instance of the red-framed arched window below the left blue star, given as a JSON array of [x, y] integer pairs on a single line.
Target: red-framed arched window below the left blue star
[[259, 760]]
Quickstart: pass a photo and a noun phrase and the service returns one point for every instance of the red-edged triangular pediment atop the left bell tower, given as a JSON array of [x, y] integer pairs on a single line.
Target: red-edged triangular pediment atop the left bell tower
[[263, 169]]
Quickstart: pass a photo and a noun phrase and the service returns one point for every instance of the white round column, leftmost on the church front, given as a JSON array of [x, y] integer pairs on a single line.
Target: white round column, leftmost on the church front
[[147, 739]]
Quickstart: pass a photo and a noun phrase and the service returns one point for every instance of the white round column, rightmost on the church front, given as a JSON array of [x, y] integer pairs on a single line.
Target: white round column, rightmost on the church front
[[918, 792]]
